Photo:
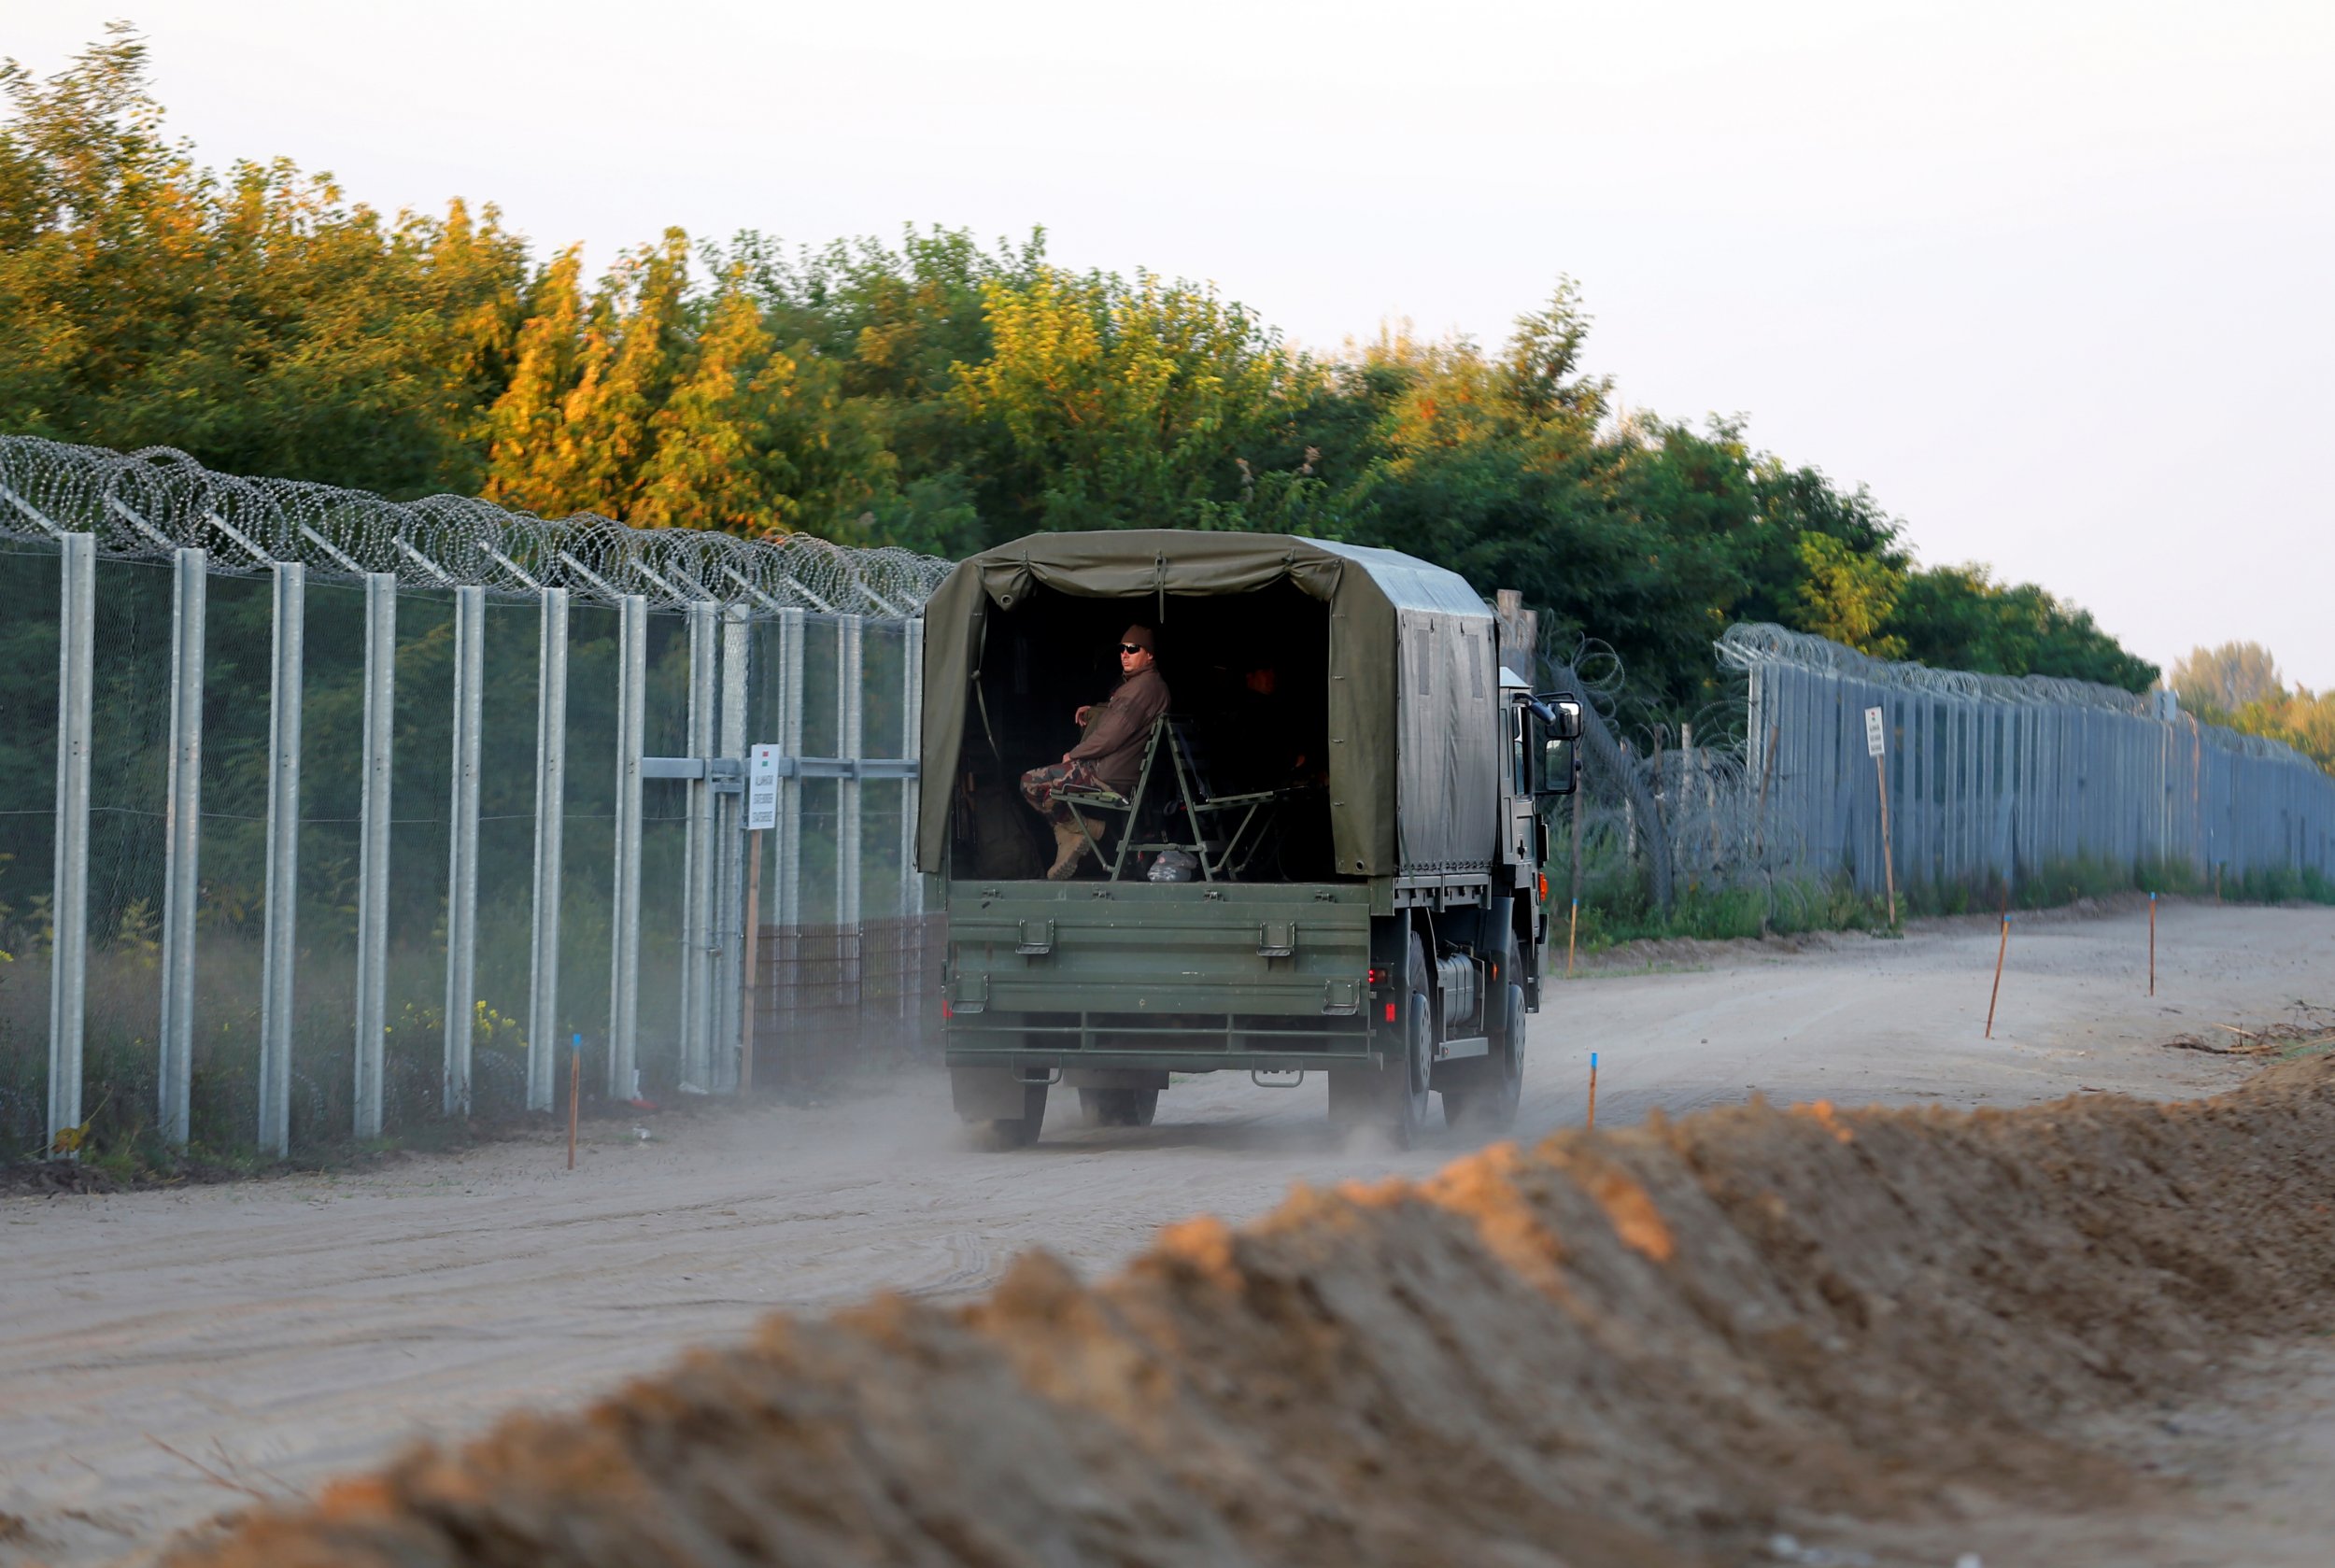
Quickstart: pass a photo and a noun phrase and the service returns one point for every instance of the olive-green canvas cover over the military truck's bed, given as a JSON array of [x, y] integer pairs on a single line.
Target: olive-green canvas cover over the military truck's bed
[[1414, 685]]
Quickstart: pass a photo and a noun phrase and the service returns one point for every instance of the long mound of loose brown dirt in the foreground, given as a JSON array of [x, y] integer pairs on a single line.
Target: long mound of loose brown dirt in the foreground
[[1640, 1347]]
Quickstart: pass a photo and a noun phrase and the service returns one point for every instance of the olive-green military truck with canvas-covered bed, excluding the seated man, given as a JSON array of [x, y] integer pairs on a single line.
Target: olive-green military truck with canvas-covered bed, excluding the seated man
[[1330, 864]]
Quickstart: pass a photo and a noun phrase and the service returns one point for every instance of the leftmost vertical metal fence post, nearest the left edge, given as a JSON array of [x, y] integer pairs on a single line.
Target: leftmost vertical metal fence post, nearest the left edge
[[69, 899]]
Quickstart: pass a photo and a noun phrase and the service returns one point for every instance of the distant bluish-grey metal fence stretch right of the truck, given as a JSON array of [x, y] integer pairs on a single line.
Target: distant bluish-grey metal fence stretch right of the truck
[[1991, 783]]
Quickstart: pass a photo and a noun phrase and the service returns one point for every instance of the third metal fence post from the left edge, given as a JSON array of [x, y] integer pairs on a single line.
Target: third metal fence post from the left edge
[[279, 953]]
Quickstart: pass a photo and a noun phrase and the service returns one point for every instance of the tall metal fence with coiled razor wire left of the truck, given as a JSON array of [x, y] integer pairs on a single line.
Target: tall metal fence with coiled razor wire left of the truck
[[323, 813]]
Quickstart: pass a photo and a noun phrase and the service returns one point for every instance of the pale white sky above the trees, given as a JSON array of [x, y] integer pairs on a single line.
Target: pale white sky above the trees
[[2051, 279]]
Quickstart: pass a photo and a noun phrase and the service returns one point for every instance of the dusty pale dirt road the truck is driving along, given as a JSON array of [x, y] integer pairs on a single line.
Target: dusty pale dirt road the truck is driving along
[[169, 1354]]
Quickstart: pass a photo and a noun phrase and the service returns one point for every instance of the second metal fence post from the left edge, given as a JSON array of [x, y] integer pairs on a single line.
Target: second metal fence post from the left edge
[[190, 594]]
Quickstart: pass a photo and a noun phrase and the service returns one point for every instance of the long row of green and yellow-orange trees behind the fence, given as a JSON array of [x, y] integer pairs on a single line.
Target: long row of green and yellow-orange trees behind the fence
[[935, 393]]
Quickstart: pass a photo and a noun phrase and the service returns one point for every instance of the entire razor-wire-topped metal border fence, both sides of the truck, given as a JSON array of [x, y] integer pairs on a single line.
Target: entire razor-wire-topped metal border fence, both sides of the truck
[[326, 815]]
